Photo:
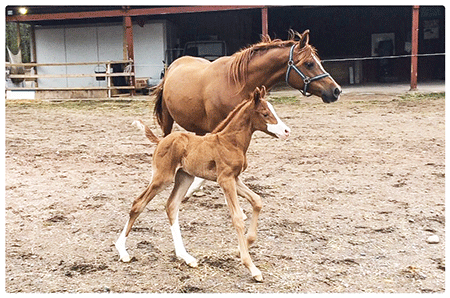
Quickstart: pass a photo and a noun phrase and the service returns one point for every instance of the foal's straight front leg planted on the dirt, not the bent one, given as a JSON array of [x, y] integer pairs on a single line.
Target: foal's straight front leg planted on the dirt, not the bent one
[[228, 185]]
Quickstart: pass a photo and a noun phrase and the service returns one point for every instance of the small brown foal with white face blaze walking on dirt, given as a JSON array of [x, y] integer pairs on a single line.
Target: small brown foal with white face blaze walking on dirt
[[219, 156]]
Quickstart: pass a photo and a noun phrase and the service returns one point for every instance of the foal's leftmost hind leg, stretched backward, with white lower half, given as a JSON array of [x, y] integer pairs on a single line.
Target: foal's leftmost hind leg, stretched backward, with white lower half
[[139, 204]]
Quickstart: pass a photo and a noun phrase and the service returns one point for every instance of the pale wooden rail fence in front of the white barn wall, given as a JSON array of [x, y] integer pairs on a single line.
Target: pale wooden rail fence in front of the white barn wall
[[107, 75]]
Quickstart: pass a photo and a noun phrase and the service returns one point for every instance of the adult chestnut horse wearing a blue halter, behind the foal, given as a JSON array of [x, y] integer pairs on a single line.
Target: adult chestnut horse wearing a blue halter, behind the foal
[[199, 94]]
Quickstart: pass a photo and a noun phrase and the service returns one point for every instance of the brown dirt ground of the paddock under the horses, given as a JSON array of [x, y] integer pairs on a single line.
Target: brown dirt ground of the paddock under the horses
[[350, 200]]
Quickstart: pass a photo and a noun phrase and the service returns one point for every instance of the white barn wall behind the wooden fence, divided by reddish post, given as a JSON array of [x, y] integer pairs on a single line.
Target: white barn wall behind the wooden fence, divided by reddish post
[[97, 43]]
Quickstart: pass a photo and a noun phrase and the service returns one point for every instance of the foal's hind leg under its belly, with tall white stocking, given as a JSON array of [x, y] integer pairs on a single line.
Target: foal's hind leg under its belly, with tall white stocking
[[182, 183]]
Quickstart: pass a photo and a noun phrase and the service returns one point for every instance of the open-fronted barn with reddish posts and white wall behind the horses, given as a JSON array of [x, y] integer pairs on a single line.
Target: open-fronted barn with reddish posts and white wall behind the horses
[[151, 37]]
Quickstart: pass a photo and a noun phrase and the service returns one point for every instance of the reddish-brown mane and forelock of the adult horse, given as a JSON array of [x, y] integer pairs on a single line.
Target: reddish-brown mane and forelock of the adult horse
[[239, 65]]
